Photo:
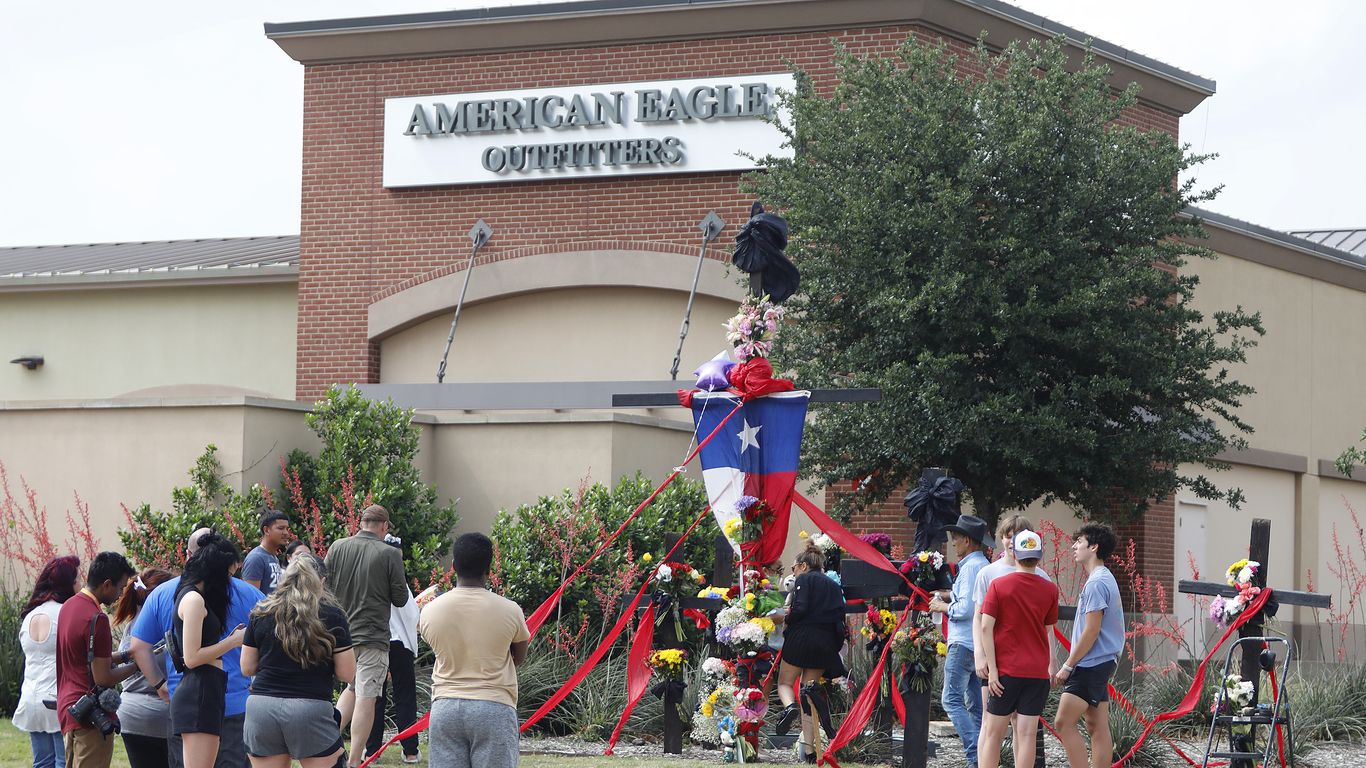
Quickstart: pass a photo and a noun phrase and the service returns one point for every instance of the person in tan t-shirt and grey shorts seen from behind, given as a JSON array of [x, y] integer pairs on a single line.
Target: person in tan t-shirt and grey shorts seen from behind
[[479, 640]]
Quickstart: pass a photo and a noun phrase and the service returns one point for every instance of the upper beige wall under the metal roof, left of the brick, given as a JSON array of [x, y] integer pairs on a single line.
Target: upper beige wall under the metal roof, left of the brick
[[109, 342]]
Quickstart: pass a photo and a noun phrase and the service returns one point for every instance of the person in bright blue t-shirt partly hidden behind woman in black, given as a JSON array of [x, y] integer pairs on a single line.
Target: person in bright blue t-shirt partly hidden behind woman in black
[[151, 627]]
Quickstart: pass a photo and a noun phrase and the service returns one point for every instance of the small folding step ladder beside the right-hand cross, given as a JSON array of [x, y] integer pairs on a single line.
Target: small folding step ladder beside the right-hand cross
[[1241, 748]]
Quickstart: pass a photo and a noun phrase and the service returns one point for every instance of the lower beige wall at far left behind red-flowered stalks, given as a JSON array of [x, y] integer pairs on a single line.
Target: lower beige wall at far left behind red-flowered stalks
[[114, 453]]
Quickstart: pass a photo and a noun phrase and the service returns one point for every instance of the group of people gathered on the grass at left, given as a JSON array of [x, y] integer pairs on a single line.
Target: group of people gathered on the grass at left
[[236, 661]]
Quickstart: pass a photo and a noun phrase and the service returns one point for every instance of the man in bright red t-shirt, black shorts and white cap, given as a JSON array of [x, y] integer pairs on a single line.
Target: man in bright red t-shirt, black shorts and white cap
[[1018, 618]]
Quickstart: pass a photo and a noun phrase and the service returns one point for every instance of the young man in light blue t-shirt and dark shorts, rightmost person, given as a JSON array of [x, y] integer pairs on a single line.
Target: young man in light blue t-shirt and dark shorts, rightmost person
[[1098, 642]]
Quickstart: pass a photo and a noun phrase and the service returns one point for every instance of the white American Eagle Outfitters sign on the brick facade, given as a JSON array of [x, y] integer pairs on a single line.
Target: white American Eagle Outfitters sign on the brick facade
[[583, 132]]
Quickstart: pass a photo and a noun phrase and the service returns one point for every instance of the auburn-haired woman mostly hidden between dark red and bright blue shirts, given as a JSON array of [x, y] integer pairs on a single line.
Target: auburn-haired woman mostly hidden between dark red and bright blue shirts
[[145, 710]]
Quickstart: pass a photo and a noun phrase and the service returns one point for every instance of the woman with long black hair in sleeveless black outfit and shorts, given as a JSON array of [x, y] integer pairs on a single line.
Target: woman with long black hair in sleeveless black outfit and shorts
[[201, 609]]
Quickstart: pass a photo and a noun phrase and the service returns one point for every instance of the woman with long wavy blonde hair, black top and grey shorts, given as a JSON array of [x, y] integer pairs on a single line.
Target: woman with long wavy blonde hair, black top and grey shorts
[[297, 643]]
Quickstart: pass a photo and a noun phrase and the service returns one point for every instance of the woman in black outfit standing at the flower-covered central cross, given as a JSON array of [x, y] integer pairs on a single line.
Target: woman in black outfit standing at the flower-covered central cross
[[812, 640]]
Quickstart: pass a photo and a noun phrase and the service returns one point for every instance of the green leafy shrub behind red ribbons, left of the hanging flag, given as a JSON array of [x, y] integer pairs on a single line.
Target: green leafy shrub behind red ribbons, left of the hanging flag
[[540, 545]]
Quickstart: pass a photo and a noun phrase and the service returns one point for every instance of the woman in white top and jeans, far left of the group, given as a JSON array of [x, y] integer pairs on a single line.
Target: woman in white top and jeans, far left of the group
[[39, 640]]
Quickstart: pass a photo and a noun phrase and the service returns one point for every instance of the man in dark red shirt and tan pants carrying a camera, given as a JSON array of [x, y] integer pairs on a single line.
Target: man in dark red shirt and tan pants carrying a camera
[[83, 655]]
